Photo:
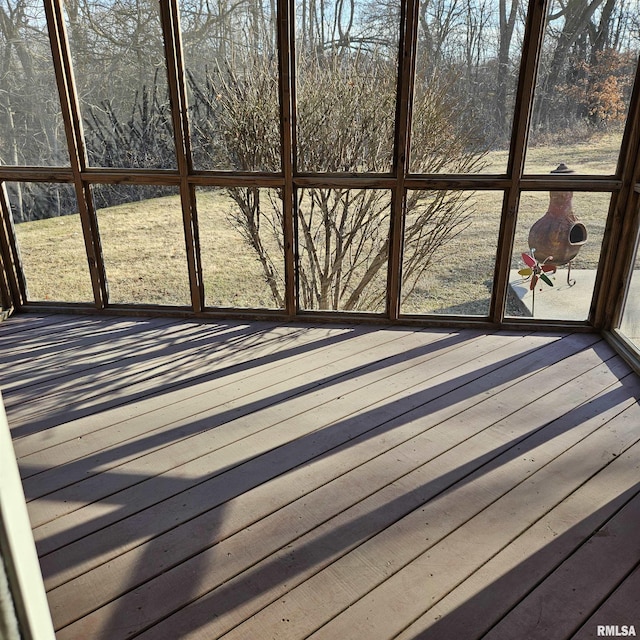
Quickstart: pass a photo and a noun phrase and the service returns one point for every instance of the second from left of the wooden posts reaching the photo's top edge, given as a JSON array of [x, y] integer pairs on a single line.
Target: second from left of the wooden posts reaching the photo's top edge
[[170, 18]]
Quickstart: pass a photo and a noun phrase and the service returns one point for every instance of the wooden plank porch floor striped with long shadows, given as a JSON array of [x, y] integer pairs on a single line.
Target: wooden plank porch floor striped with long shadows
[[257, 481]]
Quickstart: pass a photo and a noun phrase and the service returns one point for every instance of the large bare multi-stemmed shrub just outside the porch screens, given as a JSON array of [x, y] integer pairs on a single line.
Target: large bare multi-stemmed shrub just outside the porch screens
[[345, 117]]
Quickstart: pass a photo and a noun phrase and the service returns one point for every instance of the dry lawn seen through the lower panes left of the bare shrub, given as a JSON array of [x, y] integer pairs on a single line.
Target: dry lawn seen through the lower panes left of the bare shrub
[[145, 256]]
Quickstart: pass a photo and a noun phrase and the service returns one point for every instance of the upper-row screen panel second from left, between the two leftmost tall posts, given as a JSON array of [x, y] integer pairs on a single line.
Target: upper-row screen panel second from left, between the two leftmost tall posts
[[118, 61]]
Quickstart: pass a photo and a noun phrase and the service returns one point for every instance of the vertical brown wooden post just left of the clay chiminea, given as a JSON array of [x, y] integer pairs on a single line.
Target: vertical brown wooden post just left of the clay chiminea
[[534, 32]]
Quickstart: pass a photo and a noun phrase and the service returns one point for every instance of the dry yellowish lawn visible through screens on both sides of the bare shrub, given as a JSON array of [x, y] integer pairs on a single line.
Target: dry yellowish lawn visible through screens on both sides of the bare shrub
[[145, 256]]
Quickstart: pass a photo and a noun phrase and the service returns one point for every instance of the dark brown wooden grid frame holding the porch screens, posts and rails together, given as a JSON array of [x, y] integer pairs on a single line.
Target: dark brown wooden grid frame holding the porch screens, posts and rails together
[[399, 181]]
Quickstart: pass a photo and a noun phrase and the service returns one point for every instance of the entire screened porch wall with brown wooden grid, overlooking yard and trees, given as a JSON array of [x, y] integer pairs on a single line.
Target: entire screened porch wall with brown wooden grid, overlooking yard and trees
[[319, 159]]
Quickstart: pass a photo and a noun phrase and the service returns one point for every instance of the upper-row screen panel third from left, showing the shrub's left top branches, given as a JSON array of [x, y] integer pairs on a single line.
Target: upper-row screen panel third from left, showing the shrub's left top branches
[[231, 64]]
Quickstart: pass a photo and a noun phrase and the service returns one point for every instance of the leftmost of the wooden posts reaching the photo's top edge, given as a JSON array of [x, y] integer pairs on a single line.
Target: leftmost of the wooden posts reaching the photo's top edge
[[75, 143]]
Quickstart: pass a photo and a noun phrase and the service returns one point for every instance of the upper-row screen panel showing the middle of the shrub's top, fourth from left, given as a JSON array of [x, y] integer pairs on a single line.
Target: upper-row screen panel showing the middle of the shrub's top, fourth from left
[[346, 85]]
